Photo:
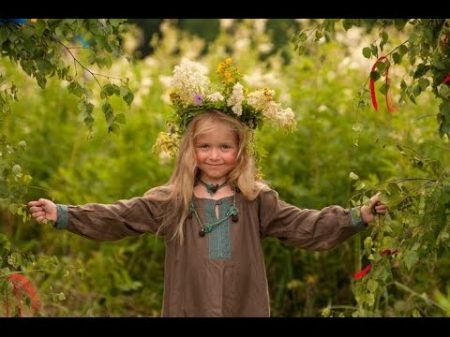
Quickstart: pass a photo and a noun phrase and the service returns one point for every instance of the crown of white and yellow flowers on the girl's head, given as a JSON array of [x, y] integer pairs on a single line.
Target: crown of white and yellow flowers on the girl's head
[[192, 94]]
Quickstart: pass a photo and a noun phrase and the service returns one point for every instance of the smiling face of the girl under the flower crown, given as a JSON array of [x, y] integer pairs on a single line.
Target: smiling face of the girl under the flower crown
[[216, 152]]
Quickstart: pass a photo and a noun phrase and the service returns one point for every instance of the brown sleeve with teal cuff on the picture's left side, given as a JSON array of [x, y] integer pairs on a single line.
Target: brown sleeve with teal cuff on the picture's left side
[[109, 222]]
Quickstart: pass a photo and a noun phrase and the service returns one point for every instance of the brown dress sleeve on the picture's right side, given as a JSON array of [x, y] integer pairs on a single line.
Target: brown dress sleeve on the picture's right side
[[306, 228]]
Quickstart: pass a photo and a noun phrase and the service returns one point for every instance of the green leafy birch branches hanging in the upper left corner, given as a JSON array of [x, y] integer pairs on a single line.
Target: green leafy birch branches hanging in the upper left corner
[[50, 48]]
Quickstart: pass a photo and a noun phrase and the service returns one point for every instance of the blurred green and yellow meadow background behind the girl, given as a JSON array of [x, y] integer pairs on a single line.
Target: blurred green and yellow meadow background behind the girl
[[341, 152]]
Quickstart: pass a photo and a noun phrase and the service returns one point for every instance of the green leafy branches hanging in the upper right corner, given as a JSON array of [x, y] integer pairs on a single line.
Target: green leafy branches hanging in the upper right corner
[[426, 49]]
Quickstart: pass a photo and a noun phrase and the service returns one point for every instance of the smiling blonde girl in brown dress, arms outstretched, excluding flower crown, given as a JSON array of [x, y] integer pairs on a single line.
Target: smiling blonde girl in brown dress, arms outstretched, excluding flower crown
[[213, 214]]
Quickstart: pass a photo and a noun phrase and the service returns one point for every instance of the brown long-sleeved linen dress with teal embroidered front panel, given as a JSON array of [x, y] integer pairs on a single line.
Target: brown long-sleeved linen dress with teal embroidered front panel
[[223, 272]]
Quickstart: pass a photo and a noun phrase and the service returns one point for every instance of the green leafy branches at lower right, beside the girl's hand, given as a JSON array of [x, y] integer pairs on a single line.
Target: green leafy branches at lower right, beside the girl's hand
[[414, 238]]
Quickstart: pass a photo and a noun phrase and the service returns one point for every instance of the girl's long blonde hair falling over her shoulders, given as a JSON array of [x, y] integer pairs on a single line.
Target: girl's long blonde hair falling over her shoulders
[[180, 187]]
